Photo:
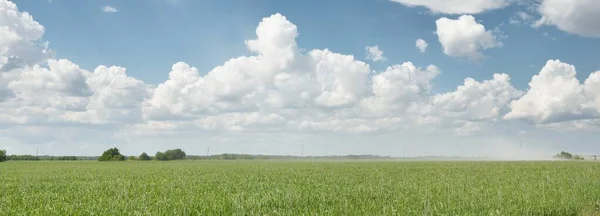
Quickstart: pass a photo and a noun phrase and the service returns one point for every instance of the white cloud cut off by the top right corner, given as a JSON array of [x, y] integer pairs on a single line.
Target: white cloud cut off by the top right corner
[[578, 17]]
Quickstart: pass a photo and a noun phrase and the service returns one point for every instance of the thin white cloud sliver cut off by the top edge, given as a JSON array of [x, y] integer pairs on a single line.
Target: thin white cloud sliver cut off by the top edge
[[456, 6]]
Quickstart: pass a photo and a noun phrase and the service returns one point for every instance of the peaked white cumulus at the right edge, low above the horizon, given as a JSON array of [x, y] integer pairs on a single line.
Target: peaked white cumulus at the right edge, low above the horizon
[[555, 95]]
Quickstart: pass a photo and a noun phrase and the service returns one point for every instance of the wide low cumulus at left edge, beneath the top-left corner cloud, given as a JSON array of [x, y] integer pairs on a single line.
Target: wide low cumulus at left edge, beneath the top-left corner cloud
[[64, 93]]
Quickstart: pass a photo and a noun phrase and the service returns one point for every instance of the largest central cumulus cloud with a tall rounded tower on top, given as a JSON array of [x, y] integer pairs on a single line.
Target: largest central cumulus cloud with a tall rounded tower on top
[[318, 90]]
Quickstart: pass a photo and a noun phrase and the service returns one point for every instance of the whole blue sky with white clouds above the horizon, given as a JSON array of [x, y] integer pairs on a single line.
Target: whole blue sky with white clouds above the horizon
[[487, 78]]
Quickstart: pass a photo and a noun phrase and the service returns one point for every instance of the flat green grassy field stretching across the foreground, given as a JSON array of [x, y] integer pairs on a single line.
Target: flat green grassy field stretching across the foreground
[[299, 188]]
